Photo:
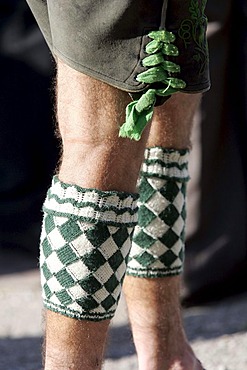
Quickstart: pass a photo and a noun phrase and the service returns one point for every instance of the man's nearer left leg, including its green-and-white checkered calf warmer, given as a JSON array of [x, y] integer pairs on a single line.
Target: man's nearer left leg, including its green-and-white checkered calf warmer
[[94, 157]]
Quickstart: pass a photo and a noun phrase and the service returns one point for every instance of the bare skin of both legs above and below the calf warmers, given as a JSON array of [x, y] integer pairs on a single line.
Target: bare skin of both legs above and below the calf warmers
[[89, 113]]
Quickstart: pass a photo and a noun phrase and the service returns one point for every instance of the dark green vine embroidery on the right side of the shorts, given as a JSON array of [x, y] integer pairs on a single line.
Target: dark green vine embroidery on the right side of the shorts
[[192, 30]]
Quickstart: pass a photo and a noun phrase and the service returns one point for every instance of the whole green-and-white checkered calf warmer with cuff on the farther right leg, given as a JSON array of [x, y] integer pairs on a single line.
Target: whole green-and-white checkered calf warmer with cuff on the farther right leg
[[158, 242]]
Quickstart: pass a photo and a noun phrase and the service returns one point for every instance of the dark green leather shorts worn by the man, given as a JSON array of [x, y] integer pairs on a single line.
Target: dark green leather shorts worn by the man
[[106, 39]]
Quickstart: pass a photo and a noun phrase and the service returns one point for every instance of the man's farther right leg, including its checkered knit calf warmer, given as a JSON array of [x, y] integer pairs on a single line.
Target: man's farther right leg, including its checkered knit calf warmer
[[156, 258]]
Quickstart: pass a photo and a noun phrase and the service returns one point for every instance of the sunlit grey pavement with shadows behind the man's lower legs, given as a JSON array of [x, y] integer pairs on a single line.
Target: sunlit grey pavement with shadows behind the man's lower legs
[[217, 332]]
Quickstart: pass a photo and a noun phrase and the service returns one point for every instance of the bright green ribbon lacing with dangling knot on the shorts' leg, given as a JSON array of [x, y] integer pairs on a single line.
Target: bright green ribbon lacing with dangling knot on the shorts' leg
[[140, 112]]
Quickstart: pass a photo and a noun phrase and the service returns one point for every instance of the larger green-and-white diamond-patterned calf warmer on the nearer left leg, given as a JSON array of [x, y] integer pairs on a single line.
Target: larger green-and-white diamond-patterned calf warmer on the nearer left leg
[[85, 242]]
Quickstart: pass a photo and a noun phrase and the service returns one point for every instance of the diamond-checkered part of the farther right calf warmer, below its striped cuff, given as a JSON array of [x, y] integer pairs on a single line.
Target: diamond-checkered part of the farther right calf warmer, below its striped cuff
[[158, 242]]
